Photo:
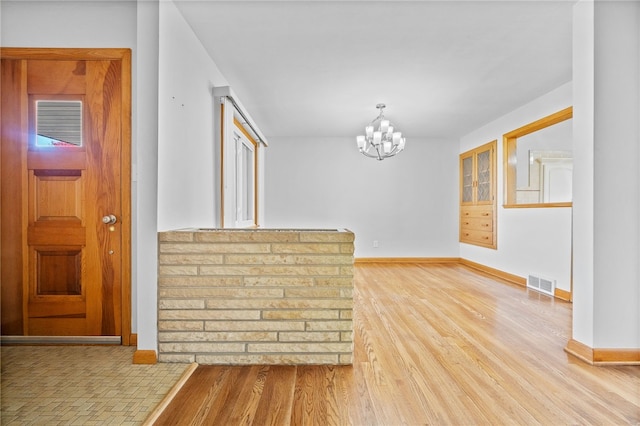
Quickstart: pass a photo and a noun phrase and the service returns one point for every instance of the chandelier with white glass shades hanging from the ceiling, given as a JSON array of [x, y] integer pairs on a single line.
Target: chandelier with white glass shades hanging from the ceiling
[[380, 140]]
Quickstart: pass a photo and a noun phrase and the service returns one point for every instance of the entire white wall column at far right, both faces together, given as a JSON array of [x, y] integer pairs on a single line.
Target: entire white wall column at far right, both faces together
[[607, 288]]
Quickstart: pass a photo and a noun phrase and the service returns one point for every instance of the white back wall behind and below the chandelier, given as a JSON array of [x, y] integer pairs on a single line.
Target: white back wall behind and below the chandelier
[[408, 203]]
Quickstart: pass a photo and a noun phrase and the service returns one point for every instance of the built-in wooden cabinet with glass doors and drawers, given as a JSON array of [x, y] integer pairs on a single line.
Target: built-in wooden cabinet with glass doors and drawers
[[478, 196]]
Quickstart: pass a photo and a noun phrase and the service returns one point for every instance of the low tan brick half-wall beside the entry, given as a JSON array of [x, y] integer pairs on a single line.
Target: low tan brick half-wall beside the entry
[[255, 296]]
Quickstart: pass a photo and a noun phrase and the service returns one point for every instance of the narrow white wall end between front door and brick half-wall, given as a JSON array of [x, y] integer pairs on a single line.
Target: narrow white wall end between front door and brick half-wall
[[145, 175]]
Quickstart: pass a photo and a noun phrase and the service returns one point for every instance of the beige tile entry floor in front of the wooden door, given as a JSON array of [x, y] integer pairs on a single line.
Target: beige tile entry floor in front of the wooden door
[[80, 385]]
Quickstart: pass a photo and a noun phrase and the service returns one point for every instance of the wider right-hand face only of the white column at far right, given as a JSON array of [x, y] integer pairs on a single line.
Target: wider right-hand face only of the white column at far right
[[617, 142]]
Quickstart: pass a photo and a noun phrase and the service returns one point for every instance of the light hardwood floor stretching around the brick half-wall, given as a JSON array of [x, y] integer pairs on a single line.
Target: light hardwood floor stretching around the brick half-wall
[[434, 344]]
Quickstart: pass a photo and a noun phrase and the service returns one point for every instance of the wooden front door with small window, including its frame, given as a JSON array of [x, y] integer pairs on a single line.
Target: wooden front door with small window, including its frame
[[65, 192]]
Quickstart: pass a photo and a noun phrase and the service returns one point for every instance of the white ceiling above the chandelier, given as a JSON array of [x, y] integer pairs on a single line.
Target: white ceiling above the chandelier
[[443, 68]]
